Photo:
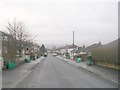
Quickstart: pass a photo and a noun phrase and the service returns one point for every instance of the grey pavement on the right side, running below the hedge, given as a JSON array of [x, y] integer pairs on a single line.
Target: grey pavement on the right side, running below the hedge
[[106, 73]]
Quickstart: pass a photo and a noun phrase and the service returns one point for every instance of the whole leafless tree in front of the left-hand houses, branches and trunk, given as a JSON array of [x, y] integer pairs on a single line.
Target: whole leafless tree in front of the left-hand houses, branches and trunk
[[18, 31]]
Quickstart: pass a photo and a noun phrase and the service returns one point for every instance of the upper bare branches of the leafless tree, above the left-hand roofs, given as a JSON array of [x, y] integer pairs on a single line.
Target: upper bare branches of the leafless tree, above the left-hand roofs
[[17, 30]]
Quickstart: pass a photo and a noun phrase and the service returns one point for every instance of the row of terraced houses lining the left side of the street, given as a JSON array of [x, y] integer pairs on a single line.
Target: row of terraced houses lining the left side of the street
[[13, 51]]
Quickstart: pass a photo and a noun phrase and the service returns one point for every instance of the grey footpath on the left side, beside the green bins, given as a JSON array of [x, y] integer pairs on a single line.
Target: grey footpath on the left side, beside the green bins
[[11, 76]]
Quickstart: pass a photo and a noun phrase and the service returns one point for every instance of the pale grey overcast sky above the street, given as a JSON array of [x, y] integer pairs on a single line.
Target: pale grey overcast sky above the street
[[54, 20]]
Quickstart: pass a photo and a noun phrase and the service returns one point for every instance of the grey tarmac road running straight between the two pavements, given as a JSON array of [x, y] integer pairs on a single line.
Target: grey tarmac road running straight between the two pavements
[[54, 73]]
